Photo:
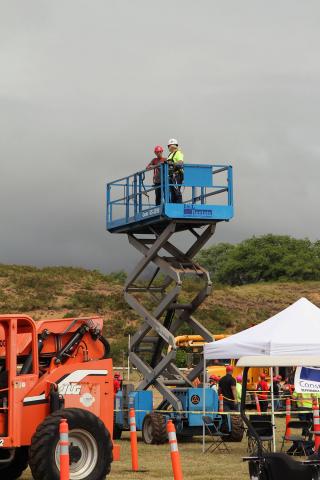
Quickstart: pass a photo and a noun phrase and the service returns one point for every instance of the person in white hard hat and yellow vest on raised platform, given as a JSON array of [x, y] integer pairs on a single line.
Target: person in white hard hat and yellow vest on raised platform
[[175, 160]]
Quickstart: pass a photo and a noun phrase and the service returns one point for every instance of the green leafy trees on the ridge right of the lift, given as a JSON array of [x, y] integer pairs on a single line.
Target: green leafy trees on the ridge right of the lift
[[261, 259]]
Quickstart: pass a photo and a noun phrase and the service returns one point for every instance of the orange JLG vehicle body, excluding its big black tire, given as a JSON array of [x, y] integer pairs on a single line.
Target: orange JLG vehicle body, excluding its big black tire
[[30, 374]]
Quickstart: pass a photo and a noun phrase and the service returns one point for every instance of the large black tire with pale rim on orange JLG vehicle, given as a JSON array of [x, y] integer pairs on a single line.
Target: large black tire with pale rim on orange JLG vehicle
[[90, 447]]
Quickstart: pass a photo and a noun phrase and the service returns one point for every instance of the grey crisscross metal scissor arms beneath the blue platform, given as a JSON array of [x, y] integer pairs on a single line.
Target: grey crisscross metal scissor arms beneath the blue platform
[[156, 300]]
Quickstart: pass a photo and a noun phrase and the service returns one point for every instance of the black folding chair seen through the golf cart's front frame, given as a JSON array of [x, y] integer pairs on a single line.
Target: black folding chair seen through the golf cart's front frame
[[263, 427]]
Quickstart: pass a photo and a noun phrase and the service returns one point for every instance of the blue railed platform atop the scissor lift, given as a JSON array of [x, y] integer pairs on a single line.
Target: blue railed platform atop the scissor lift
[[207, 198]]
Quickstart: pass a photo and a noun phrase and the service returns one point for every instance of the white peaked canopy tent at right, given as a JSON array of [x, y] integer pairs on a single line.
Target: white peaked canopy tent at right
[[291, 337]]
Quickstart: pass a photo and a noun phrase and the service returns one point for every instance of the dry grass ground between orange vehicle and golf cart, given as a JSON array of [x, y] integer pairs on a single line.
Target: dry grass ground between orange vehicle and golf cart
[[154, 461]]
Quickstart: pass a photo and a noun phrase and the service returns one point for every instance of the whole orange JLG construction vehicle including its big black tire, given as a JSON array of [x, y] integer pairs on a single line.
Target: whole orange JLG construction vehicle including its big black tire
[[49, 370]]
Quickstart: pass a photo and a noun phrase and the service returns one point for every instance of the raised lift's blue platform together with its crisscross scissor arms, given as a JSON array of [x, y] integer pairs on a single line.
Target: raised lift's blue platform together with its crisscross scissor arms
[[155, 287]]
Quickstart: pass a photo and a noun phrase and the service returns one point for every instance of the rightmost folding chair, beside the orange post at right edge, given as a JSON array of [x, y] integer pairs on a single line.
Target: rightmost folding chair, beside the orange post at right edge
[[300, 440]]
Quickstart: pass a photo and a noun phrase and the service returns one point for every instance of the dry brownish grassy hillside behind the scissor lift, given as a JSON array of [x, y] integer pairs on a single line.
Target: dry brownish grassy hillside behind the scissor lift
[[67, 292]]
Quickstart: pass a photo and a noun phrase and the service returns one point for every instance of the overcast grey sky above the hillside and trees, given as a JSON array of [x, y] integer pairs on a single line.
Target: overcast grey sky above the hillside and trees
[[87, 88]]
